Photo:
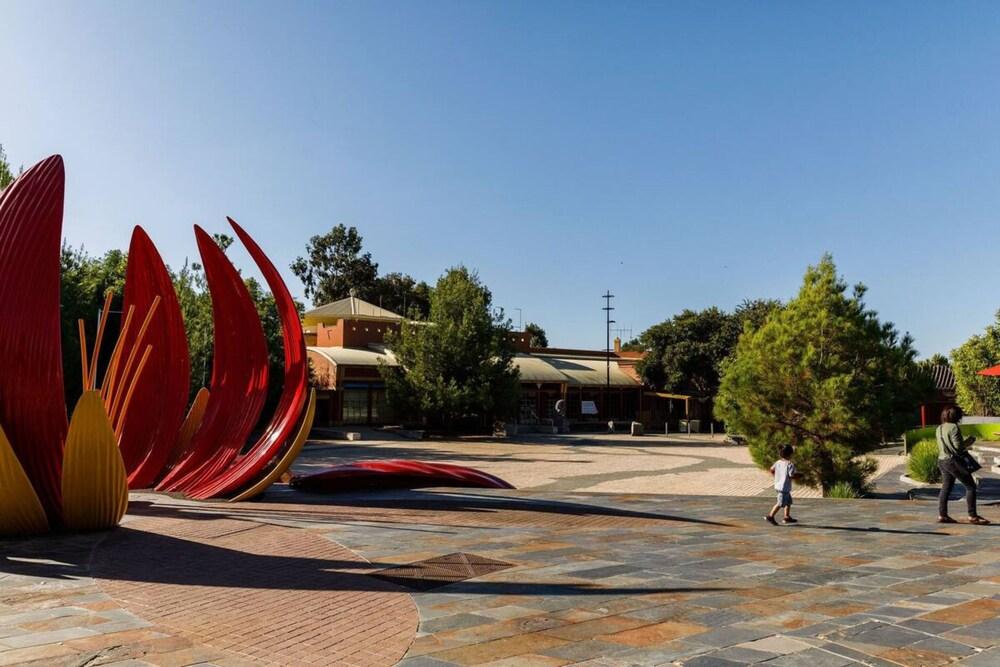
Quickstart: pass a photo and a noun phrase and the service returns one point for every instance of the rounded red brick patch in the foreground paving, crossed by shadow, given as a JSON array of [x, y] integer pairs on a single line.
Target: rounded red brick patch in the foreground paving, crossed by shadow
[[265, 593]]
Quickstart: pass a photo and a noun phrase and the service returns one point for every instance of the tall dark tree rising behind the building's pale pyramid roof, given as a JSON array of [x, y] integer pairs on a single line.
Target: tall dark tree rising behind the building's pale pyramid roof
[[335, 265]]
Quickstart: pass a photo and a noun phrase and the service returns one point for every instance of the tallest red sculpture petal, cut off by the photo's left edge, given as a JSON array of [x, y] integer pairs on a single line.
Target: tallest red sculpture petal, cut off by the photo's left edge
[[32, 402]]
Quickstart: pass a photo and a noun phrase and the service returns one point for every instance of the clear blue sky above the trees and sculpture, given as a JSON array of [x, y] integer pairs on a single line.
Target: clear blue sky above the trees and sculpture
[[681, 154]]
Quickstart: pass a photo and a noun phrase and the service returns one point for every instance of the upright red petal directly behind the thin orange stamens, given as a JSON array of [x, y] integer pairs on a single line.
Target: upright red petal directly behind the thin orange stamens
[[151, 424]]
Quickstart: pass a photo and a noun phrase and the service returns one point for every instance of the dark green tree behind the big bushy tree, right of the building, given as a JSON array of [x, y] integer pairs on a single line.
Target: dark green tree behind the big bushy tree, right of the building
[[686, 352]]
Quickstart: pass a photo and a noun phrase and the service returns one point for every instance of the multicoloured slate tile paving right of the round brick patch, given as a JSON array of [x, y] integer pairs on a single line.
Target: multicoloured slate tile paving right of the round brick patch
[[689, 580]]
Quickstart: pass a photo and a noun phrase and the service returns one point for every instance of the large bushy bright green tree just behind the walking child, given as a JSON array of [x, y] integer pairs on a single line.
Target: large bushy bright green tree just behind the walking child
[[824, 374]]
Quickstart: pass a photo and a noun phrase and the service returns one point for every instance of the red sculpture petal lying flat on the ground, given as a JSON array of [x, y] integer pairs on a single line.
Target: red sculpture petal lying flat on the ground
[[396, 474]]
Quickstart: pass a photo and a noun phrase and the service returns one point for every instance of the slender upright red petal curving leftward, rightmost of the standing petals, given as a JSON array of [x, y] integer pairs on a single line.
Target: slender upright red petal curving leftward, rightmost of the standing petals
[[247, 468]]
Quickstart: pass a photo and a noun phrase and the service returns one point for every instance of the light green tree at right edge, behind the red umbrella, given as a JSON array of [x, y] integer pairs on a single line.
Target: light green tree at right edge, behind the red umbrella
[[978, 394]]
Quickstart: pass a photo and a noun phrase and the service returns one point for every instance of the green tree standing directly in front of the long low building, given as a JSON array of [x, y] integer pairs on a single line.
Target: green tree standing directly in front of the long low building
[[455, 371]]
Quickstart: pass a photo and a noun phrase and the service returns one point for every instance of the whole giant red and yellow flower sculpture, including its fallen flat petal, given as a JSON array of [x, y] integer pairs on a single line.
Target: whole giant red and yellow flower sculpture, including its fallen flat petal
[[134, 424]]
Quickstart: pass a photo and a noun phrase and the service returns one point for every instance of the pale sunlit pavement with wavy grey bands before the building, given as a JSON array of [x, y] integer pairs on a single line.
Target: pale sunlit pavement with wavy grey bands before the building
[[598, 463]]
